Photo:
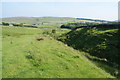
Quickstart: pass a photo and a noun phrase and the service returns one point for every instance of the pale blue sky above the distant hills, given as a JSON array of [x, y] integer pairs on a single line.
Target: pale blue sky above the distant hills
[[105, 10]]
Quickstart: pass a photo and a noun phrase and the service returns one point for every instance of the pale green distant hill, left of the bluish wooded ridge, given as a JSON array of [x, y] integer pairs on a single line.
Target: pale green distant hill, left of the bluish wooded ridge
[[38, 20]]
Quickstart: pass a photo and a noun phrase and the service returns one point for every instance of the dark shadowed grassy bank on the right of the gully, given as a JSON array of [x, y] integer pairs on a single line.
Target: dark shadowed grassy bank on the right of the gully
[[102, 43]]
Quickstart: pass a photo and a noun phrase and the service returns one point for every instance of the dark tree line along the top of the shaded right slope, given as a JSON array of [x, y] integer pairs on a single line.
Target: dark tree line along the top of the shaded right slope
[[74, 26]]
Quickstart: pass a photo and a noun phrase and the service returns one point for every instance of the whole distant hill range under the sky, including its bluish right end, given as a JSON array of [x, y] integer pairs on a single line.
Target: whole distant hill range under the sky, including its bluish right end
[[44, 20]]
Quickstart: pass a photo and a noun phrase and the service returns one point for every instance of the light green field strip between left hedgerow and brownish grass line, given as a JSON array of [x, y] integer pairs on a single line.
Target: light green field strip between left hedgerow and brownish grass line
[[17, 31]]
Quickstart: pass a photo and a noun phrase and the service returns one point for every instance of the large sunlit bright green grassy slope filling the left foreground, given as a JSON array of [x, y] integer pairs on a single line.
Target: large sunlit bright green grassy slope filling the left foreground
[[24, 57]]
